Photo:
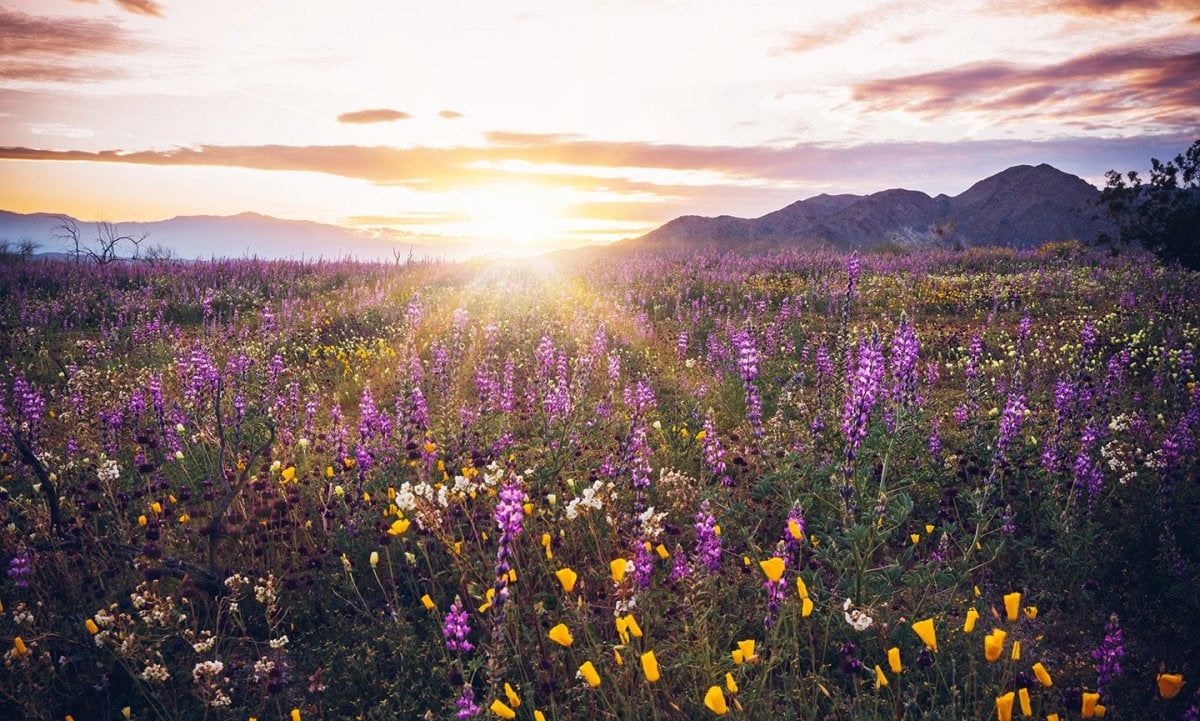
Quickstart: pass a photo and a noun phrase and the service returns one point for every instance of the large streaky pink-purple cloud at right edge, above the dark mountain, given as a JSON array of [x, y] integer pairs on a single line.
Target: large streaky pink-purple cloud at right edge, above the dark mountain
[[1115, 88]]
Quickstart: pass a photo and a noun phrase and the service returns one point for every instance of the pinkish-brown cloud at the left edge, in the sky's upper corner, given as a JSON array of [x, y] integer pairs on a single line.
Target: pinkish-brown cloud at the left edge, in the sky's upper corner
[[38, 49]]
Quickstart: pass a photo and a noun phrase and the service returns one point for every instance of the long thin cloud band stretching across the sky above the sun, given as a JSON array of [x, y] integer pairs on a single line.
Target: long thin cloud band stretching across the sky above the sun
[[637, 170]]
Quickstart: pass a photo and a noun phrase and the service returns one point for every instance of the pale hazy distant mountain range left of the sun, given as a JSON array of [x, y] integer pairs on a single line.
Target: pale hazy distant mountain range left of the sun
[[232, 237]]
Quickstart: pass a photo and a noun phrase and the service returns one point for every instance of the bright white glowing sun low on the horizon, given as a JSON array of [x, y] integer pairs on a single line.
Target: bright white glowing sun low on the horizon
[[518, 220]]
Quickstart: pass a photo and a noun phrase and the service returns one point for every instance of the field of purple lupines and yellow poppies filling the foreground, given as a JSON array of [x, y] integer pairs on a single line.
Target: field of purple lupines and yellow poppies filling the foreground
[[808, 486]]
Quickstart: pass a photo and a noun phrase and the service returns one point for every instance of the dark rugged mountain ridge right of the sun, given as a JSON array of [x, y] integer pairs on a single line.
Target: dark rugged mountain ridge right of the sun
[[1022, 207]]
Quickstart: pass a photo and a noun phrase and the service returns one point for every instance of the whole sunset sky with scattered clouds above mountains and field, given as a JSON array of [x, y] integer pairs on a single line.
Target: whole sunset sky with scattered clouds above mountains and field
[[520, 128]]
